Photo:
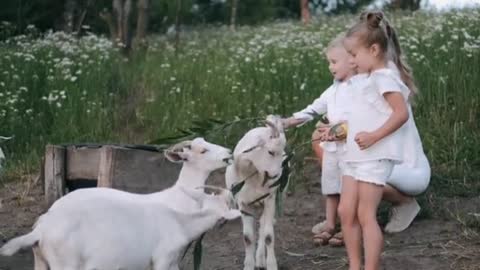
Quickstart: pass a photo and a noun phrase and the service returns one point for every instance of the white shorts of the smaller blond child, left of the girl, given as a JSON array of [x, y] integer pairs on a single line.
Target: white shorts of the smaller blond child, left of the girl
[[331, 174]]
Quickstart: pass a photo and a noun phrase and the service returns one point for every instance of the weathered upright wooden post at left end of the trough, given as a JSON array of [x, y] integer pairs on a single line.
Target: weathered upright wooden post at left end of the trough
[[54, 173]]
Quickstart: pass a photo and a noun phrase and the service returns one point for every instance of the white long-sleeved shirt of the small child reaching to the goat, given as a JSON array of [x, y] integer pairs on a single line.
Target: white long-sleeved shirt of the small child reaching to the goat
[[335, 101]]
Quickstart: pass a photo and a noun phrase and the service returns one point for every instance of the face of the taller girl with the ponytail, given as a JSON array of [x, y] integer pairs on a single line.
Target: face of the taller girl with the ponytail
[[363, 58]]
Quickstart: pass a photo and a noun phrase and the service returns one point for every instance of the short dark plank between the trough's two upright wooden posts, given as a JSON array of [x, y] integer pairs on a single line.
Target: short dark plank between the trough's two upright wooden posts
[[82, 163]]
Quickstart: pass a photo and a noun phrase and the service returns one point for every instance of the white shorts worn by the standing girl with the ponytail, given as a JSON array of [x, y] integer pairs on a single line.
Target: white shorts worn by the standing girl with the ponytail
[[375, 171]]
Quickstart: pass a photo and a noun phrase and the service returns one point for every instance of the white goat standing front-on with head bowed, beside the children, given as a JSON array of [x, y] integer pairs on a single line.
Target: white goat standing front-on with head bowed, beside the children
[[258, 160]]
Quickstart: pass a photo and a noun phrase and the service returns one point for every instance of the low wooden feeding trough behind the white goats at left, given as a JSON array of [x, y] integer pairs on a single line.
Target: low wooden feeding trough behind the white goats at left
[[133, 168]]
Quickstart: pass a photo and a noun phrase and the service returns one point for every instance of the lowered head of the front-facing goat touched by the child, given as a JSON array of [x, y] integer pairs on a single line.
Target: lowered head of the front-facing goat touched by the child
[[267, 154]]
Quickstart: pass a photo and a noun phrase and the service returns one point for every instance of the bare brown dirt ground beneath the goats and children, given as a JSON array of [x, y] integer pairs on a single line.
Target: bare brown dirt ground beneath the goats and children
[[434, 243]]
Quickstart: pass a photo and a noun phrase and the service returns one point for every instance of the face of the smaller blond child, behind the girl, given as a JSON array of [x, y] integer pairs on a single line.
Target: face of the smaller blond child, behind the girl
[[339, 63]]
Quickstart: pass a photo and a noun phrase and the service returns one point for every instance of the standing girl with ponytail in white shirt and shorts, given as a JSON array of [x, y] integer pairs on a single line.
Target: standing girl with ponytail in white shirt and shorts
[[376, 135]]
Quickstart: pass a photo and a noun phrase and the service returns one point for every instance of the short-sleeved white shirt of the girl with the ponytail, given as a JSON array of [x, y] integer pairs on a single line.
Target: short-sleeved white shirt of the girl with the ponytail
[[369, 111]]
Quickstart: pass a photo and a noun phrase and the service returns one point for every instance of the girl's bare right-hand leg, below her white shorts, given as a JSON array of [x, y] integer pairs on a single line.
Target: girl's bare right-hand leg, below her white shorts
[[369, 198]]
